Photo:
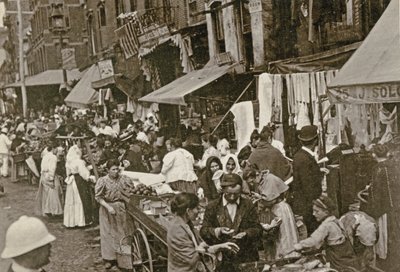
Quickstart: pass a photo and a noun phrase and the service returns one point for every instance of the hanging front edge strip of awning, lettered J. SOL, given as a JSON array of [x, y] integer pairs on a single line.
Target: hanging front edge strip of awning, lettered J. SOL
[[382, 93]]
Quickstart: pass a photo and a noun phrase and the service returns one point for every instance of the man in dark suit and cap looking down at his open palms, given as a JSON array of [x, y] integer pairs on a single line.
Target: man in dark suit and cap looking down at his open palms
[[234, 219]]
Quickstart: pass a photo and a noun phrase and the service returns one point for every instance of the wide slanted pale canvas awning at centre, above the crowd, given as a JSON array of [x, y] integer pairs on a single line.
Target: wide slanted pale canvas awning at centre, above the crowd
[[174, 93]]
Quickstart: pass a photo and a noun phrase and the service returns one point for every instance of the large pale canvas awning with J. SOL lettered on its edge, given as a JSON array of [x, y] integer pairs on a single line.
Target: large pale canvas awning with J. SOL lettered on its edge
[[372, 74]]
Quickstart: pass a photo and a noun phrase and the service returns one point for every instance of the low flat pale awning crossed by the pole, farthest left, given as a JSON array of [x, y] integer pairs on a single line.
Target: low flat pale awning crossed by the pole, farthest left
[[48, 77]]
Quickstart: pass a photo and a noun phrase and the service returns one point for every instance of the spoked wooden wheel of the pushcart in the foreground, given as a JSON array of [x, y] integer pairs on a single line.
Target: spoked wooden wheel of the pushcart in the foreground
[[141, 255]]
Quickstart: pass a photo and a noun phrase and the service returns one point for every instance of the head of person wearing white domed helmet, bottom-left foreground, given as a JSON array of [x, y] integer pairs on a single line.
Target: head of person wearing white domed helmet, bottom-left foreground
[[28, 244]]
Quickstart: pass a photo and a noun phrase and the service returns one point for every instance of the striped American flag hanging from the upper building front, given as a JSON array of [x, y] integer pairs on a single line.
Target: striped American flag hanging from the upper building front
[[128, 40]]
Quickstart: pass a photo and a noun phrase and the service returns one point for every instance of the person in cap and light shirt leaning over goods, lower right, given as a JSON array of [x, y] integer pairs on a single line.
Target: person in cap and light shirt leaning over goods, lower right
[[330, 235]]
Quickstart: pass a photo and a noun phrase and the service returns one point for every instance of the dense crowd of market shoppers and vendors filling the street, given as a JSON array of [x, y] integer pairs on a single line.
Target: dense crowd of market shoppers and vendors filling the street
[[258, 203]]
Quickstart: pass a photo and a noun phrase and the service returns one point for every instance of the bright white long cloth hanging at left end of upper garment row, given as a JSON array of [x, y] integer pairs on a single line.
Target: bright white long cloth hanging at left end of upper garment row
[[265, 99]]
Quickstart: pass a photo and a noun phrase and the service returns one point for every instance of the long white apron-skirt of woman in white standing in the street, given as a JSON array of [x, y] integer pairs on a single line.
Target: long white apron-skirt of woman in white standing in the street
[[74, 215]]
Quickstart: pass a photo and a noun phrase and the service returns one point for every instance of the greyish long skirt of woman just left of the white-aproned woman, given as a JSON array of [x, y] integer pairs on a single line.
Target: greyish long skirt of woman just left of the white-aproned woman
[[51, 198]]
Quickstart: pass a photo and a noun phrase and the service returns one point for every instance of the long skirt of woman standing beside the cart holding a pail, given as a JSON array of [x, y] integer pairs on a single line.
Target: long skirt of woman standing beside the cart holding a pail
[[112, 229]]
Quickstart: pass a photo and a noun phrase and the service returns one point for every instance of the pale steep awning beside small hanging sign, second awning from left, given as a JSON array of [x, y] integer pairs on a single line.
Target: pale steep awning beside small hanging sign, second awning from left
[[83, 94]]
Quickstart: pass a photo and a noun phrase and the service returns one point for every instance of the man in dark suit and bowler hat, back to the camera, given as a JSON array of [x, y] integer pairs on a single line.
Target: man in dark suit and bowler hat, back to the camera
[[307, 177]]
